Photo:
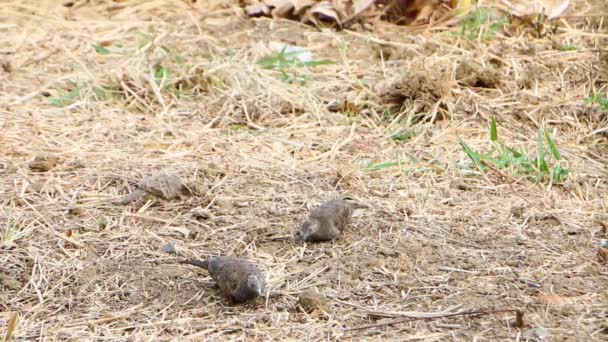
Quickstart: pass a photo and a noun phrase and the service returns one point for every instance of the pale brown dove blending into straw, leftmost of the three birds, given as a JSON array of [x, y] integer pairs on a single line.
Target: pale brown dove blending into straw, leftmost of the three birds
[[166, 186]]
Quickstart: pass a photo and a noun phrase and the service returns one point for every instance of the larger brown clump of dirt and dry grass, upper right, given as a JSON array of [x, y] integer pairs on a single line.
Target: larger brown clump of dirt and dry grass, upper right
[[428, 85]]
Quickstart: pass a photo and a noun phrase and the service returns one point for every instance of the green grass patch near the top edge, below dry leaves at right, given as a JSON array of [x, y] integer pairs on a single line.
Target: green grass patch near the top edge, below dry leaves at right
[[482, 24]]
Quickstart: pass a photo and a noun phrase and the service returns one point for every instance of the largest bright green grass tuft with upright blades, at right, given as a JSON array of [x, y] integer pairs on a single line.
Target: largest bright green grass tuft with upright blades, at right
[[548, 166]]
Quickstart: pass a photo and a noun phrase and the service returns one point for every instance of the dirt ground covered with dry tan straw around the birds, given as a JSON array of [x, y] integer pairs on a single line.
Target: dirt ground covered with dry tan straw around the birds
[[99, 94]]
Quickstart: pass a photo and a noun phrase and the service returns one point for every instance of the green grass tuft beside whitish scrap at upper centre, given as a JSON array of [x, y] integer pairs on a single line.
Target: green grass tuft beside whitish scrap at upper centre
[[289, 66]]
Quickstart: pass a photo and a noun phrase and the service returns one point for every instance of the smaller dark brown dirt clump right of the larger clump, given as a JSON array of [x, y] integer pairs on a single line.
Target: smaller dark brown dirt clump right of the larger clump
[[472, 73]]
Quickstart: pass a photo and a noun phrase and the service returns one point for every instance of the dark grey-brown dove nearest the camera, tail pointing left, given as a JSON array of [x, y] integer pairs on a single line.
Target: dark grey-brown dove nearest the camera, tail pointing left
[[238, 279]]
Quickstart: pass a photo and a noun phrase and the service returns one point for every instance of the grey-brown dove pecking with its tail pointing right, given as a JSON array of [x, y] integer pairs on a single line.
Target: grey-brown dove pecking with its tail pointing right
[[327, 221]]
